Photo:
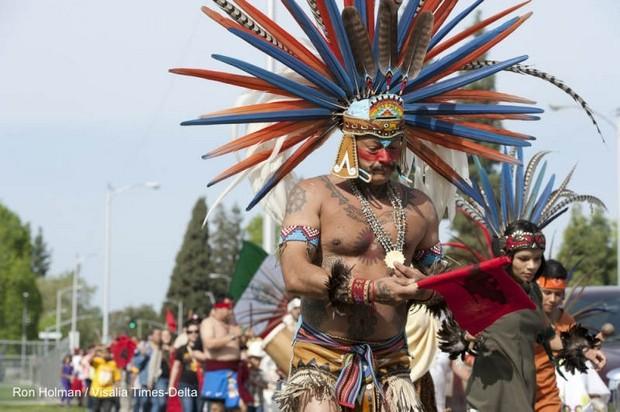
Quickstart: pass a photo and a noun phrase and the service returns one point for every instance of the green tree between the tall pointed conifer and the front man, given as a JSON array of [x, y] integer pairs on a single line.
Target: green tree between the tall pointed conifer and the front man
[[225, 240]]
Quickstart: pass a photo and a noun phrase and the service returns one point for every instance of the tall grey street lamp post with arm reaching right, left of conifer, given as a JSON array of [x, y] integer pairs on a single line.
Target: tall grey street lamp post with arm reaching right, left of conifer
[[110, 192]]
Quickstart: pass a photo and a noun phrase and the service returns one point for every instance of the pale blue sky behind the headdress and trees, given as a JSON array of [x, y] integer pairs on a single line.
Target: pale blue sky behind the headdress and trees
[[86, 100]]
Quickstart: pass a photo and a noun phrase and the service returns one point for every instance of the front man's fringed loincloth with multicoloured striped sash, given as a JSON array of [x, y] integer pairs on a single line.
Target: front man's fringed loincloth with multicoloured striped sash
[[363, 376]]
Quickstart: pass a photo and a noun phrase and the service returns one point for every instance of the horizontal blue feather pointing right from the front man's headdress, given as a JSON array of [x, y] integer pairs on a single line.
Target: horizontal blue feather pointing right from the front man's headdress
[[434, 109]]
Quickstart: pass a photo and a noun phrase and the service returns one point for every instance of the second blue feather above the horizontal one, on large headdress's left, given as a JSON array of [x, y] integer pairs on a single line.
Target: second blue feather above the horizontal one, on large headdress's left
[[291, 62]]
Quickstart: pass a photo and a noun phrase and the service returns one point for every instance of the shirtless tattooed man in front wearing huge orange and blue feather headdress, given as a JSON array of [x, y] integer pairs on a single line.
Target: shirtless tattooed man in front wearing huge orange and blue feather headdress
[[349, 239]]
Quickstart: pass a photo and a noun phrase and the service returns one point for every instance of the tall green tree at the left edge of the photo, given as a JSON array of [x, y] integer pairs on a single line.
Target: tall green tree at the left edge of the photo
[[18, 288]]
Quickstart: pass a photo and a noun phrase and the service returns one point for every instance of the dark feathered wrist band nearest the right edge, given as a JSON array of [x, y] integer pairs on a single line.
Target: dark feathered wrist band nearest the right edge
[[574, 343]]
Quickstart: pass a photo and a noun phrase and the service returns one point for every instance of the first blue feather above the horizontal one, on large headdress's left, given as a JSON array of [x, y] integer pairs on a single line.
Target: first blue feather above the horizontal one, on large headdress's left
[[303, 91]]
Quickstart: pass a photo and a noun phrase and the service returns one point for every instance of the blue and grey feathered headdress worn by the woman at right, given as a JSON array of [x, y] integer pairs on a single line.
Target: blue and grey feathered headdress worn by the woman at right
[[523, 195]]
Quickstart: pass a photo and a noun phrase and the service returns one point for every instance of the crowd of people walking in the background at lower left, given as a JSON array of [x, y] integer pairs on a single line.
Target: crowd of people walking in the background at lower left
[[211, 365]]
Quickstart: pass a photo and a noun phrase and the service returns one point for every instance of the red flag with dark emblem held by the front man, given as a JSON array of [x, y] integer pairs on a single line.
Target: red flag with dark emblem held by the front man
[[479, 294]]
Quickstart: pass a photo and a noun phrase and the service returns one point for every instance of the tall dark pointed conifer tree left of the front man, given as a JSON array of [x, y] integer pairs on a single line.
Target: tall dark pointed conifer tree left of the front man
[[190, 279]]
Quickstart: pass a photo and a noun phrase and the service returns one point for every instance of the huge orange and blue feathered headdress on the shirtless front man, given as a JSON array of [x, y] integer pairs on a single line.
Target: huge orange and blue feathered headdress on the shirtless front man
[[398, 74]]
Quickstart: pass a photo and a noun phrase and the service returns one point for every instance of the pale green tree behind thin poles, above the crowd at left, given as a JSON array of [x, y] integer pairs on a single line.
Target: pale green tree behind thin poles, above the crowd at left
[[89, 317]]
